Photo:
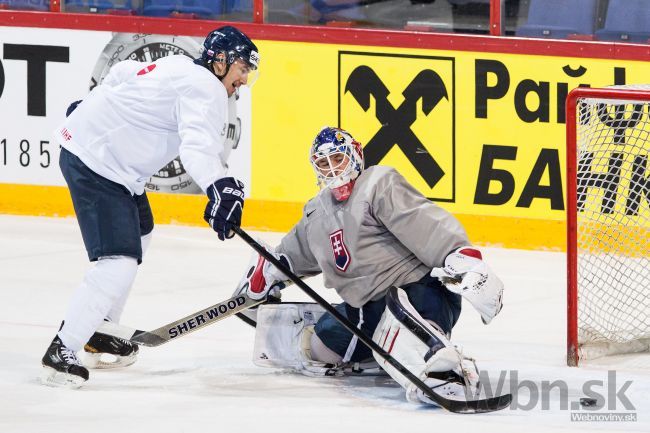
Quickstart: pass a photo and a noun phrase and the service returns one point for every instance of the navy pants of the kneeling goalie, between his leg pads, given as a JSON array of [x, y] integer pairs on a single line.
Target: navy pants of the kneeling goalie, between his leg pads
[[428, 296]]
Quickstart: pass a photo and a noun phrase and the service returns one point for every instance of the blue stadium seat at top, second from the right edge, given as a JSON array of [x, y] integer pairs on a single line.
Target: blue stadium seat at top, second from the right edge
[[558, 19]]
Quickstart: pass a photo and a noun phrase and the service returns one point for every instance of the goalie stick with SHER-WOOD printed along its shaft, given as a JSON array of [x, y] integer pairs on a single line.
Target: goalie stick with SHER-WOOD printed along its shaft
[[184, 326]]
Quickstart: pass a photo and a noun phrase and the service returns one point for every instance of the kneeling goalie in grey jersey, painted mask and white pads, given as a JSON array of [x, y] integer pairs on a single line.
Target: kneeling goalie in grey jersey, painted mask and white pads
[[399, 262]]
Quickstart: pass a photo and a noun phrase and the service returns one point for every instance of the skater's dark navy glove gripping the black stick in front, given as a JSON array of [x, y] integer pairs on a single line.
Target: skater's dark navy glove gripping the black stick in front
[[224, 209]]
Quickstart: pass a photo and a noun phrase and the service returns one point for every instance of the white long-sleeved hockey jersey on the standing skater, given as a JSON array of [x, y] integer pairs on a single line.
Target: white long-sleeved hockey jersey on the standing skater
[[145, 114]]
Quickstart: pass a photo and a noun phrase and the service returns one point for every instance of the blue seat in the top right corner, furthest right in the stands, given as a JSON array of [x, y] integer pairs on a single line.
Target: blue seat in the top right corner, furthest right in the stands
[[626, 21]]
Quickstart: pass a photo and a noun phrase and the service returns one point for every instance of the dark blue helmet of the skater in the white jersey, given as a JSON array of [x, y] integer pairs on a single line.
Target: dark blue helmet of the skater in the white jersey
[[233, 44]]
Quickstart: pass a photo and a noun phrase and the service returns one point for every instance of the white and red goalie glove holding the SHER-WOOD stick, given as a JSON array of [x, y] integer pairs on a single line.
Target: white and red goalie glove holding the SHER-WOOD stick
[[262, 278]]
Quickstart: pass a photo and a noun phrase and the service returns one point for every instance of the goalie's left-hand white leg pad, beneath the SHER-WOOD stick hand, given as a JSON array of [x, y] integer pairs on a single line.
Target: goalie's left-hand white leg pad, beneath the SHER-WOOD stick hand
[[283, 339]]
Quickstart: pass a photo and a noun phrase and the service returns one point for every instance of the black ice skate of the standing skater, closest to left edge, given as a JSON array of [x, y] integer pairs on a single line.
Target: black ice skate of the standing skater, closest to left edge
[[62, 368]]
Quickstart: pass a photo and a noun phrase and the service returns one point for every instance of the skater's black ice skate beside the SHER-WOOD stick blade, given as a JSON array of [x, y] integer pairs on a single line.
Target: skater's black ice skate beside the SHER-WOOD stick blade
[[103, 351]]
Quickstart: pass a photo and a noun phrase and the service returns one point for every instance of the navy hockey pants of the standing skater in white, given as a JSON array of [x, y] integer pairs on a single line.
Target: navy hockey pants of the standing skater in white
[[111, 219]]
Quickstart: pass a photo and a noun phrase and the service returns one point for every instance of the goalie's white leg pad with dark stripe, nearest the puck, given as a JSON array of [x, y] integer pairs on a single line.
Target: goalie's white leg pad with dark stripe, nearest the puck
[[424, 350]]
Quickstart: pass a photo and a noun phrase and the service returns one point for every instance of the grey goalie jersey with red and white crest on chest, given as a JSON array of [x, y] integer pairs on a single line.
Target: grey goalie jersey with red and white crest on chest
[[385, 234]]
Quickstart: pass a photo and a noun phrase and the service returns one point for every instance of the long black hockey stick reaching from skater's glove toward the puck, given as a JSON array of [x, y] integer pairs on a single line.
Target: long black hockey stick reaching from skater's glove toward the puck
[[489, 404]]
